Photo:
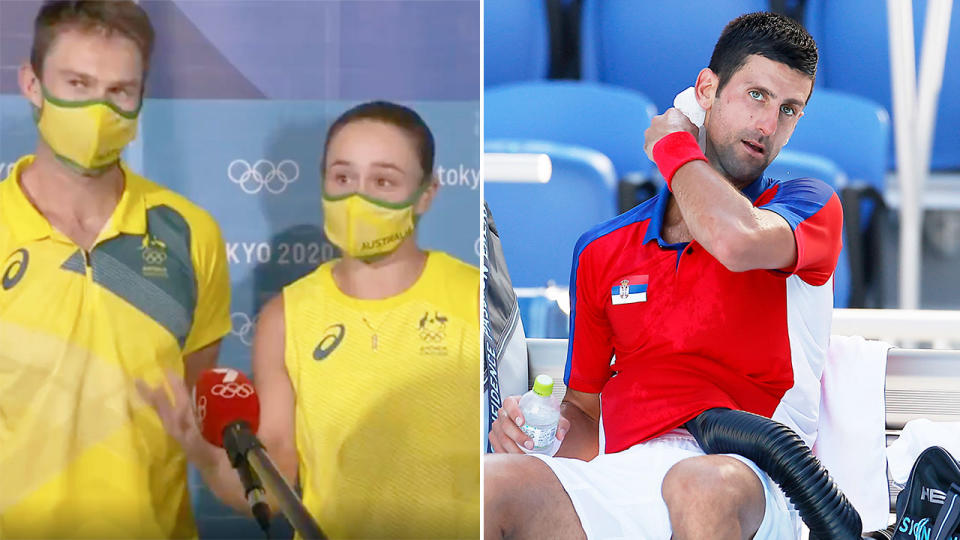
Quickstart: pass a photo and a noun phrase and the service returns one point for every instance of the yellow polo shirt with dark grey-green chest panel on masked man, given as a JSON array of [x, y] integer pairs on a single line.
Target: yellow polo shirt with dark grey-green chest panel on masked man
[[81, 455]]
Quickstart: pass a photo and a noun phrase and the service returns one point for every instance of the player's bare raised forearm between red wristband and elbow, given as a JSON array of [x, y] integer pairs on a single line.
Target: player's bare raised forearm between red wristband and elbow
[[717, 215]]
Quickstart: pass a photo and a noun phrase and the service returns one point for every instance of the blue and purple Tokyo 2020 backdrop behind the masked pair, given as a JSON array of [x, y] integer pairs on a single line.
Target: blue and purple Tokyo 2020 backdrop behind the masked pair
[[253, 85]]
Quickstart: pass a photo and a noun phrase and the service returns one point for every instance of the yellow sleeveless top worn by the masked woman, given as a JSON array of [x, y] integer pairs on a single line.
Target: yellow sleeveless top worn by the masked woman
[[387, 407]]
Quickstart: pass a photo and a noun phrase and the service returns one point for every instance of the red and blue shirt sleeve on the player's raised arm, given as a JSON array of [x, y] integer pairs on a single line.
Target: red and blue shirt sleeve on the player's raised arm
[[813, 210]]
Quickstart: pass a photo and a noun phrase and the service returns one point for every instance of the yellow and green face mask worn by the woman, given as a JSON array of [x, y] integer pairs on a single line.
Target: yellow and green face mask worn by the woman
[[366, 228]]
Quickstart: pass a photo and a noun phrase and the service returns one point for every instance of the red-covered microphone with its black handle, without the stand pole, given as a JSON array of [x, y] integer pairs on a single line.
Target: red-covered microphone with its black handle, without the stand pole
[[228, 413]]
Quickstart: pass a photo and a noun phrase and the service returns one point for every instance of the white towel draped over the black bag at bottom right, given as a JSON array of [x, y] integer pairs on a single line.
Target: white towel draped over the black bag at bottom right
[[917, 436]]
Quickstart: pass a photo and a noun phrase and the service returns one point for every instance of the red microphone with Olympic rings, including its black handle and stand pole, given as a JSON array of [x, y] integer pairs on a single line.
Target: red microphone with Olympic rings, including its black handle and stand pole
[[228, 413]]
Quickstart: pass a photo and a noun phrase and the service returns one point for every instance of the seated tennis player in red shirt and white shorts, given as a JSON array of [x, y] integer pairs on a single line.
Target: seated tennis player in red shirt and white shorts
[[717, 292]]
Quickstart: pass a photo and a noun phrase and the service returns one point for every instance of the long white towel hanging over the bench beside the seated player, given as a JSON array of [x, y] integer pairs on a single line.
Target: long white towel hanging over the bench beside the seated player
[[851, 441]]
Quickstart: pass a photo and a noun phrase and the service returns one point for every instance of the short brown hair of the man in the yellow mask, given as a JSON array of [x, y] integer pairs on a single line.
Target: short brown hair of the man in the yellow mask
[[122, 16]]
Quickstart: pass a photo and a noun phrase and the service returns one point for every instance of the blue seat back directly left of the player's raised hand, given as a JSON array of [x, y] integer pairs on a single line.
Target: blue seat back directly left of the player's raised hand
[[600, 117]]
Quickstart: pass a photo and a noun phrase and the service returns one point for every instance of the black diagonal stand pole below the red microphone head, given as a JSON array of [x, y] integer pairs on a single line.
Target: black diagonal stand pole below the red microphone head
[[245, 451]]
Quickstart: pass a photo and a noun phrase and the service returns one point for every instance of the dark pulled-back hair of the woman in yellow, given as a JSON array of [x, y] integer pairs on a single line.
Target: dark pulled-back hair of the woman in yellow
[[395, 115]]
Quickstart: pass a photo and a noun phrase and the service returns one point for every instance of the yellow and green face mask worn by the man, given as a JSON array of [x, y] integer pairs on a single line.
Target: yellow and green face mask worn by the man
[[86, 135]]
